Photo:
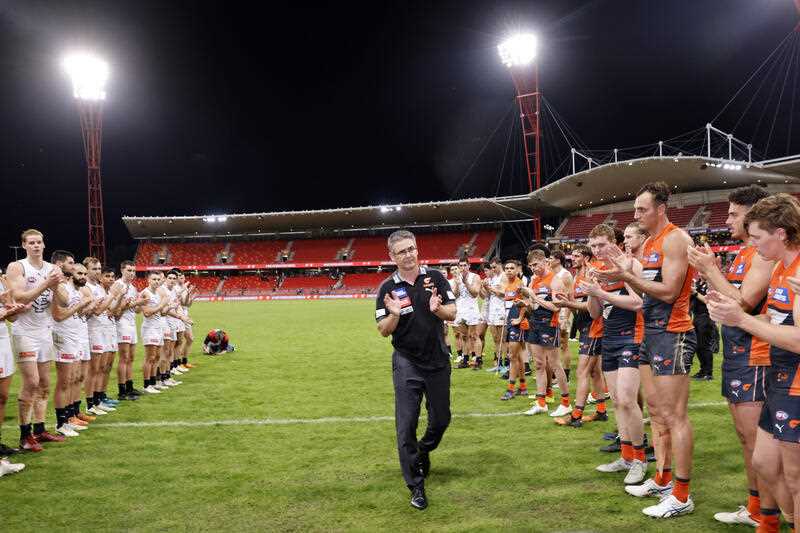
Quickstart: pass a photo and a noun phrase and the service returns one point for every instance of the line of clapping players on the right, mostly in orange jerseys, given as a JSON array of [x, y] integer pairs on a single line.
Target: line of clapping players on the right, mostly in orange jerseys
[[631, 301]]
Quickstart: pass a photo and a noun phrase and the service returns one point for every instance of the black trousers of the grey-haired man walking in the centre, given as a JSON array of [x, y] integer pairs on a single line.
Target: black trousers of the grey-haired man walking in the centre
[[410, 384]]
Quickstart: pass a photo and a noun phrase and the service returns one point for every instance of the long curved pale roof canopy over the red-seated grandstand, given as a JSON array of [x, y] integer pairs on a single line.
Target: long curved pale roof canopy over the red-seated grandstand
[[604, 184]]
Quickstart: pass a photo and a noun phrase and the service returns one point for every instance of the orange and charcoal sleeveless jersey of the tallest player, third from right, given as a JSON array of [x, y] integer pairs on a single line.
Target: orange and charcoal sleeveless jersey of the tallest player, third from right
[[658, 315]]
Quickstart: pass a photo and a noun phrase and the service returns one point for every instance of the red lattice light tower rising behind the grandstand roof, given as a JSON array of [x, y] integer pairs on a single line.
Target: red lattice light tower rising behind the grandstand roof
[[518, 53]]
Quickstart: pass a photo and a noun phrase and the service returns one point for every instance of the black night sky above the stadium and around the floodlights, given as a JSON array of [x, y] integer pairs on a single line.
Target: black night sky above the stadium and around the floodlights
[[222, 107]]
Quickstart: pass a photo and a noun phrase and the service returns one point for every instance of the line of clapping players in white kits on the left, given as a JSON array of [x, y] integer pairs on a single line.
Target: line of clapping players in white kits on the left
[[80, 316]]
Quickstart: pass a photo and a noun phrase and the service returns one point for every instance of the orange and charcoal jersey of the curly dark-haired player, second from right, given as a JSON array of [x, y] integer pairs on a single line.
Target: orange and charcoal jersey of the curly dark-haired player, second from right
[[739, 348]]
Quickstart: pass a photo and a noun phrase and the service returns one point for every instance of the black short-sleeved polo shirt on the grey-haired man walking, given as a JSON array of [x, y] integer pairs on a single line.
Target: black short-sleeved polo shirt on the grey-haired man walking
[[419, 335]]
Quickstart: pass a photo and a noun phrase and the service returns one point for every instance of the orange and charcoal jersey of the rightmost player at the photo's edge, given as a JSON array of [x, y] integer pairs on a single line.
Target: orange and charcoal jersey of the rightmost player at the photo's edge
[[784, 374]]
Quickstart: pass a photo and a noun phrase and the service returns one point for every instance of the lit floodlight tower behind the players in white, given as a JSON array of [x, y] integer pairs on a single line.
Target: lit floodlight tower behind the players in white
[[89, 75]]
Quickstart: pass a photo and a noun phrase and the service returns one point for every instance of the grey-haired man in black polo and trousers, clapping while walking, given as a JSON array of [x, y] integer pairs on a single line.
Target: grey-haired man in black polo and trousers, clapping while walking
[[411, 307]]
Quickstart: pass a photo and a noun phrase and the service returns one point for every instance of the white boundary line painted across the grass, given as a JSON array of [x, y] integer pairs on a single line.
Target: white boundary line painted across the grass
[[325, 420]]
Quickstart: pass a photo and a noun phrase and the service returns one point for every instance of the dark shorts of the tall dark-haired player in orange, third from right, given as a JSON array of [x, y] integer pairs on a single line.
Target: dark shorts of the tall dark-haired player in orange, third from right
[[667, 353]]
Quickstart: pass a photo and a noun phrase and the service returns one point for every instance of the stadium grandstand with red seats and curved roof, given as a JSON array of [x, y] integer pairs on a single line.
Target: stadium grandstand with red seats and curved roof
[[342, 252]]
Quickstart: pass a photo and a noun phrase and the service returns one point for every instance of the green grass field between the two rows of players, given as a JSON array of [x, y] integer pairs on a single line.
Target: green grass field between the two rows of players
[[294, 431]]
